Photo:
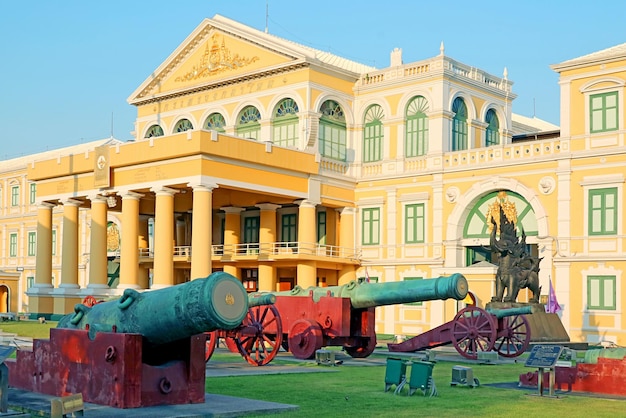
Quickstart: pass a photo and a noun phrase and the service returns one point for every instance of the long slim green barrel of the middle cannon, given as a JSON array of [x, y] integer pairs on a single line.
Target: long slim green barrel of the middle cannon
[[367, 295]]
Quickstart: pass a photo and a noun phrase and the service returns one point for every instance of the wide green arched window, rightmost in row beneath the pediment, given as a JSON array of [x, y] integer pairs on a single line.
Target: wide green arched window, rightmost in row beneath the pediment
[[332, 135]]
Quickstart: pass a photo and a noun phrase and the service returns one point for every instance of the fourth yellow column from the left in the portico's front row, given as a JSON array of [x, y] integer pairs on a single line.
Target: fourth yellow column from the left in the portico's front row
[[129, 255]]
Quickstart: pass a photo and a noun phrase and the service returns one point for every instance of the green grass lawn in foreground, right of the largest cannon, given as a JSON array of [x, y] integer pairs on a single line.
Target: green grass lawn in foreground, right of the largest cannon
[[348, 391]]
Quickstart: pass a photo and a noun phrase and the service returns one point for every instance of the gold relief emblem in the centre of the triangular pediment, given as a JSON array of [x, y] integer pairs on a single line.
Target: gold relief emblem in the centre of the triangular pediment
[[217, 58]]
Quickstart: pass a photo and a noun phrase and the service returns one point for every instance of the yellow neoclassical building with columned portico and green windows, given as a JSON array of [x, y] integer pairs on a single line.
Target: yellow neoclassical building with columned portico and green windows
[[285, 165]]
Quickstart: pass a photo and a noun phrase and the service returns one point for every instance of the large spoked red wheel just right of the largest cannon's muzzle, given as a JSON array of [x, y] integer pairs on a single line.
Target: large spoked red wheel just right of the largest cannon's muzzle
[[261, 335]]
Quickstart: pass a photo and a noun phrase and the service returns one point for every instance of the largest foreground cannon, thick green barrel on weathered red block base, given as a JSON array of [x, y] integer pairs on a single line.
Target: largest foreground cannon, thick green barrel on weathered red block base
[[140, 350]]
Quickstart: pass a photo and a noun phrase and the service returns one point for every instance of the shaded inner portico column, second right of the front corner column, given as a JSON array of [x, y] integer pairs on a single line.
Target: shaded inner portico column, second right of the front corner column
[[267, 238]]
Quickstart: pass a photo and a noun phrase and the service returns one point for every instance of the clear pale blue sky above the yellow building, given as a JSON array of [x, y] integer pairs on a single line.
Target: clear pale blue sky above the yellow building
[[68, 66]]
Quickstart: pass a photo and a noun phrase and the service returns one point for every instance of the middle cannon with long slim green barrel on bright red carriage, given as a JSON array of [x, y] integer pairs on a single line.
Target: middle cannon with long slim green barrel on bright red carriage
[[344, 315]]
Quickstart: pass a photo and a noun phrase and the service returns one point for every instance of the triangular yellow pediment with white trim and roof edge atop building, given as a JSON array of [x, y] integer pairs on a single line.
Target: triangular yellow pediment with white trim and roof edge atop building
[[221, 50]]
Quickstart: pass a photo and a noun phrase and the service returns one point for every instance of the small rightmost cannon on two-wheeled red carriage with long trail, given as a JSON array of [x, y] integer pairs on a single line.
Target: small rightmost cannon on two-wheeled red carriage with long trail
[[474, 329]]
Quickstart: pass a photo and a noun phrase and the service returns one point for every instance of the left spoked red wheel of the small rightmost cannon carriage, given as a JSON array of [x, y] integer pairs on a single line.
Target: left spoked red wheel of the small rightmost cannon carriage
[[473, 330]]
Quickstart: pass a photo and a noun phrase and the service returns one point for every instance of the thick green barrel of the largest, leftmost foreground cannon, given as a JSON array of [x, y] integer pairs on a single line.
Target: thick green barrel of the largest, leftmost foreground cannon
[[218, 301]]
